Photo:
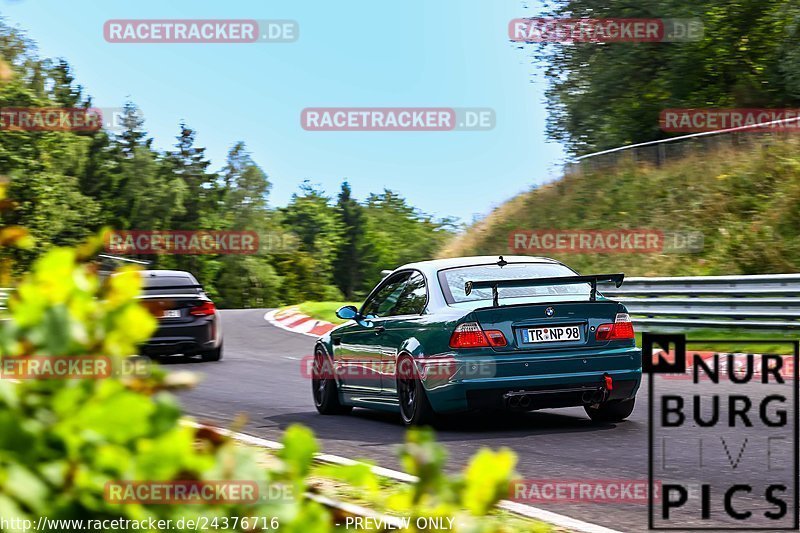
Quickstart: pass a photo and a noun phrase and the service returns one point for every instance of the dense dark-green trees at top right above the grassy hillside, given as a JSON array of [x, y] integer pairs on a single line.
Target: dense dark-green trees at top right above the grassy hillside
[[611, 94]]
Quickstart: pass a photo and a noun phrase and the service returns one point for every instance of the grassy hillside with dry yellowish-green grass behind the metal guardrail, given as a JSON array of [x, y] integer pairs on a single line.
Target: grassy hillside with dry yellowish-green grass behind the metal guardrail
[[745, 201]]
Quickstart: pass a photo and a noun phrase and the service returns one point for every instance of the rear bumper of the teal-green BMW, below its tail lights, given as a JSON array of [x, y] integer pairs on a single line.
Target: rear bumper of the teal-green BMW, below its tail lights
[[555, 380]]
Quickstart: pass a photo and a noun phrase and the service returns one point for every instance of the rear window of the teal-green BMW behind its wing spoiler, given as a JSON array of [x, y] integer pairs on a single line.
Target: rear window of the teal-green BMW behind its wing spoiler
[[454, 279]]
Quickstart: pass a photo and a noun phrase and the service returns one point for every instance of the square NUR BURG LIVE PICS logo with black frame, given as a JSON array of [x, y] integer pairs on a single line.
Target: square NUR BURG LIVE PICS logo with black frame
[[723, 443]]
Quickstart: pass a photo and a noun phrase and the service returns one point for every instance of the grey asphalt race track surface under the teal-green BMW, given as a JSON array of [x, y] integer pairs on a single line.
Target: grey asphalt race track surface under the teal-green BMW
[[260, 376]]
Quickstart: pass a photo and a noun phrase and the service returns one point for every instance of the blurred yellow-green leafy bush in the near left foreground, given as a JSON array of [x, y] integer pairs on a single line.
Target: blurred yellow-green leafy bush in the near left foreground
[[62, 441]]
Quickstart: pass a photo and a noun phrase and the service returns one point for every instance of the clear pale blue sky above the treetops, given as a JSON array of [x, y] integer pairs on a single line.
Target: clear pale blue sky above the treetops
[[444, 53]]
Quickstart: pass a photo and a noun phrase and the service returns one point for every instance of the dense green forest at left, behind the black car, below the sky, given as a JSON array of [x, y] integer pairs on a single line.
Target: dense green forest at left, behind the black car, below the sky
[[65, 186]]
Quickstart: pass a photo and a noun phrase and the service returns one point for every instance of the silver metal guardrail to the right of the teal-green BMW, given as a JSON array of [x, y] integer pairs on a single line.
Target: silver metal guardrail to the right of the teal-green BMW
[[761, 302]]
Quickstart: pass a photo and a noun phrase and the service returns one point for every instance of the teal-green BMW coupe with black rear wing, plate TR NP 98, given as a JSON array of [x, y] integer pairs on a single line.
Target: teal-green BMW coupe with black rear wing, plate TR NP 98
[[481, 333]]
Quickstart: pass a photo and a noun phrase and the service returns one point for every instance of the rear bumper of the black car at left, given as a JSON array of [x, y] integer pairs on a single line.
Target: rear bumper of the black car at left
[[202, 334]]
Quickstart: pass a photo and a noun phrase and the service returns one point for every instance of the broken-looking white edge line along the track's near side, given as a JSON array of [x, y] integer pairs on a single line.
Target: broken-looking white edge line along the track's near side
[[522, 509]]
